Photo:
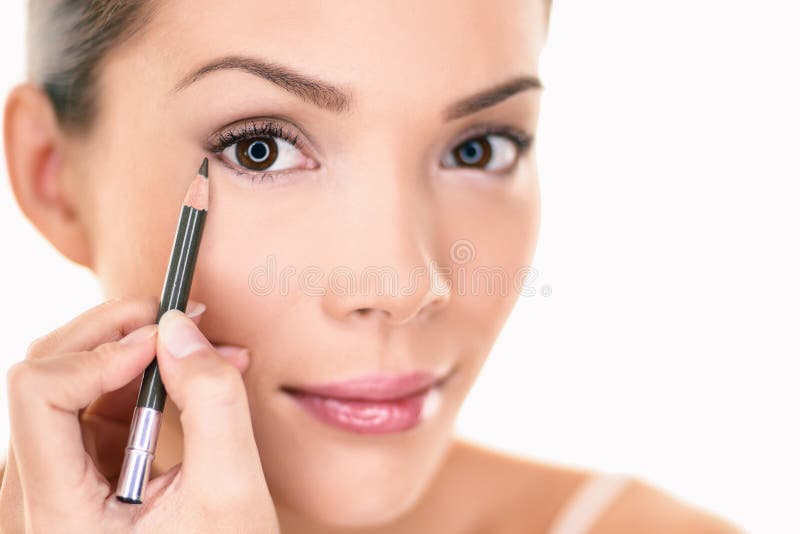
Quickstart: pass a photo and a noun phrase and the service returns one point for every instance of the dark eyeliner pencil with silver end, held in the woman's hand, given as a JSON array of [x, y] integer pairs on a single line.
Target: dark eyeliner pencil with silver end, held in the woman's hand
[[146, 421]]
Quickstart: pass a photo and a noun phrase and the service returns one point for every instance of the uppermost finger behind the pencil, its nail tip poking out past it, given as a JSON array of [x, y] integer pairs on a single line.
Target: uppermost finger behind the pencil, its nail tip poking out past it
[[106, 322]]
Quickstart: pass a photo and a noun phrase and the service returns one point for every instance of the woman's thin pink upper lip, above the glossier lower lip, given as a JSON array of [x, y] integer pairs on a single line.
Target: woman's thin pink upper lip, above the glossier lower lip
[[372, 387]]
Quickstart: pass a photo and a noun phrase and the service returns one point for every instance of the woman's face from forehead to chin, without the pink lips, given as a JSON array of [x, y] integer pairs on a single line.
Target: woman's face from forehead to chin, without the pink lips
[[379, 244]]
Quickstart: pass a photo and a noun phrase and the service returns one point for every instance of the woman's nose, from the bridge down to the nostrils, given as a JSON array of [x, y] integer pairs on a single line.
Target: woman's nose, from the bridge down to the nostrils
[[387, 271]]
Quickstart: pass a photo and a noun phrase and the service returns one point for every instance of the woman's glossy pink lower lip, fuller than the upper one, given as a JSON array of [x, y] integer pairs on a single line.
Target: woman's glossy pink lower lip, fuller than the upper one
[[368, 416]]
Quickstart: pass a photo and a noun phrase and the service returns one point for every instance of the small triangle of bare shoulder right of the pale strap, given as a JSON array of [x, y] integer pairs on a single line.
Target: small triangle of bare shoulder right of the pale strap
[[644, 507]]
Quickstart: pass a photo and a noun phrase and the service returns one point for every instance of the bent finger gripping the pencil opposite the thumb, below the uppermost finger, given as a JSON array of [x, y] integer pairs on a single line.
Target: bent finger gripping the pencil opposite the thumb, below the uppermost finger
[[44, 397]]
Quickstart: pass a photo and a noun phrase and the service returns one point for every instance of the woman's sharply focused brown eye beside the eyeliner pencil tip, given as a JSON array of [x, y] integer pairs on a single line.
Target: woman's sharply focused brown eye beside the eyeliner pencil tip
[[265, 153]]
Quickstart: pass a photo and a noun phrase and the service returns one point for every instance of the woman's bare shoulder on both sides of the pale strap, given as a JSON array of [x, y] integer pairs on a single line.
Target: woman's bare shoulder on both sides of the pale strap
[[519, 494]]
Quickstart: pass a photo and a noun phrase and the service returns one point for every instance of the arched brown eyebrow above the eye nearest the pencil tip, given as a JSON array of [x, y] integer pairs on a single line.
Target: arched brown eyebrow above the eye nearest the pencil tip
[[318, 92]]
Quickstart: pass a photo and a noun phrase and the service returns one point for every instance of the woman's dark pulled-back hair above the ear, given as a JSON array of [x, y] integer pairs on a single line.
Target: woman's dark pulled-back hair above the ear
[[67, 41]]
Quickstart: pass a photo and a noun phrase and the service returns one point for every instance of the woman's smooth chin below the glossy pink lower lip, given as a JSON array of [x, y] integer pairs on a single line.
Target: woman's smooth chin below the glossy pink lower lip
[[344, 480]]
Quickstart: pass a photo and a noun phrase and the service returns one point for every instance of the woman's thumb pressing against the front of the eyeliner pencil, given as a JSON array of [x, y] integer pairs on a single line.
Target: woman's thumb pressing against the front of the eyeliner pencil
[[220, 457]]
